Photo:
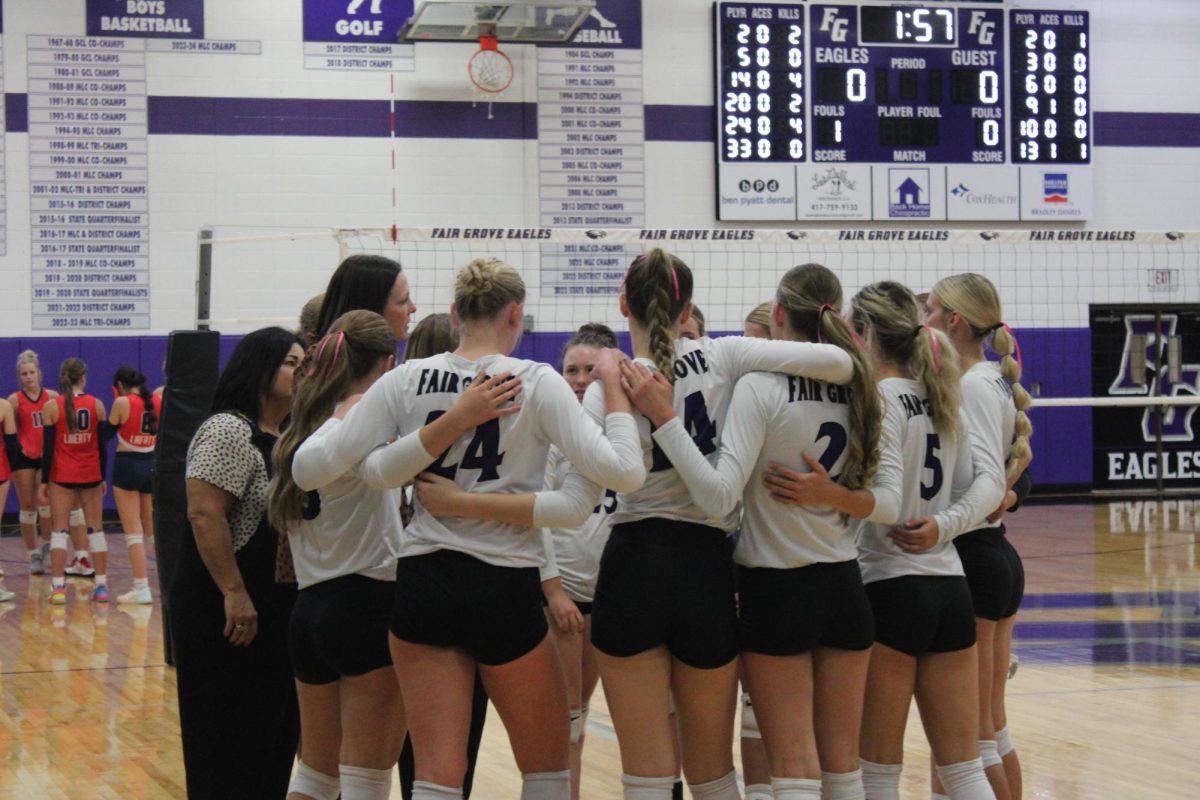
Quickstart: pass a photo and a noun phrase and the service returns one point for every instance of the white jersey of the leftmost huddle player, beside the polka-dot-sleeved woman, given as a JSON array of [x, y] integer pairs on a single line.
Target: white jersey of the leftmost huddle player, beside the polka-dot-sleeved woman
[[356, 531]]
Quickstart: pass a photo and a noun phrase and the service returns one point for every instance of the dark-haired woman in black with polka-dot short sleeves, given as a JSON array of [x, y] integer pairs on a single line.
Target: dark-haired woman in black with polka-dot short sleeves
[[235, 587]]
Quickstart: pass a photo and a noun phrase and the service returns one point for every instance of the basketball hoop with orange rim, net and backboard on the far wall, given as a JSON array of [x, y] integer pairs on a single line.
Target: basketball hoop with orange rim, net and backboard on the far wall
[[513, 22]]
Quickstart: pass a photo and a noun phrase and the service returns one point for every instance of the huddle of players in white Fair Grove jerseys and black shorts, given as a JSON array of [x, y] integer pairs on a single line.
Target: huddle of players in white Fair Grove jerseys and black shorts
[[820, 512]]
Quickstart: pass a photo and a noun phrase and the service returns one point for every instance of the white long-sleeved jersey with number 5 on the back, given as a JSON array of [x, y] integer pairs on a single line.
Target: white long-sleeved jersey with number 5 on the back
[[934, 476]]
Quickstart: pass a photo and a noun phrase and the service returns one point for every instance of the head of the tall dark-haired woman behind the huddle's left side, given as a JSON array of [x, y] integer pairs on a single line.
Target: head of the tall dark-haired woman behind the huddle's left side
[[370, 284]]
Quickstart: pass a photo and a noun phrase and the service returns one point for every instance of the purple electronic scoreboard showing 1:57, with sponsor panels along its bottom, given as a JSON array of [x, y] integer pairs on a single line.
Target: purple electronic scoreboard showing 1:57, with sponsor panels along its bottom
[[937, 111]]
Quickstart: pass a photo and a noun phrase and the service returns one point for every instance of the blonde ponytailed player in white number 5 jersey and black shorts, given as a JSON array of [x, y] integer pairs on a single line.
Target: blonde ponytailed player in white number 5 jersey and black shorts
[[925, 630]]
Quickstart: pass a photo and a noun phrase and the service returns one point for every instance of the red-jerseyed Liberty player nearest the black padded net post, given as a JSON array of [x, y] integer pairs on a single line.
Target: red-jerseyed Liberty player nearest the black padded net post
[[135, 417]]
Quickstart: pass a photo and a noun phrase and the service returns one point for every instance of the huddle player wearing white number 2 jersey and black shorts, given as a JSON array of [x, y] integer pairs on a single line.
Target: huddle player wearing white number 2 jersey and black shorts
[[805, 619]]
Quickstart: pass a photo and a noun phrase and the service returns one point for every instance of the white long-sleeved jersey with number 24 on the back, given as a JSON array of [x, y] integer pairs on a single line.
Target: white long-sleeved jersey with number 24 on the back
[[507, 455]]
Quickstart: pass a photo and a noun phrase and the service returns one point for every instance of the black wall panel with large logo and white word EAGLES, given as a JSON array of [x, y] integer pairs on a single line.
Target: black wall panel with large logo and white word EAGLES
[[1142, 352]]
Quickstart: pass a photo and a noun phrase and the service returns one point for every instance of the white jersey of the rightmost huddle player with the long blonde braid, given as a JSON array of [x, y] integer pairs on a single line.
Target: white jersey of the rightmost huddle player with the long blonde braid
[[992, 414]]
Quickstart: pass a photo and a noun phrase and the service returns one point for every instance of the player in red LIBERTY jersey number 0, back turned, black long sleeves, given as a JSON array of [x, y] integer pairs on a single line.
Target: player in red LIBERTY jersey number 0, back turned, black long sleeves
[[74, 471]]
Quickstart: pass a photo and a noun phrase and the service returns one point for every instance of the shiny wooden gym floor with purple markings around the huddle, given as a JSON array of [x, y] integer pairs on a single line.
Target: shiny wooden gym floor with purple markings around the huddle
[[1105, 706]]
